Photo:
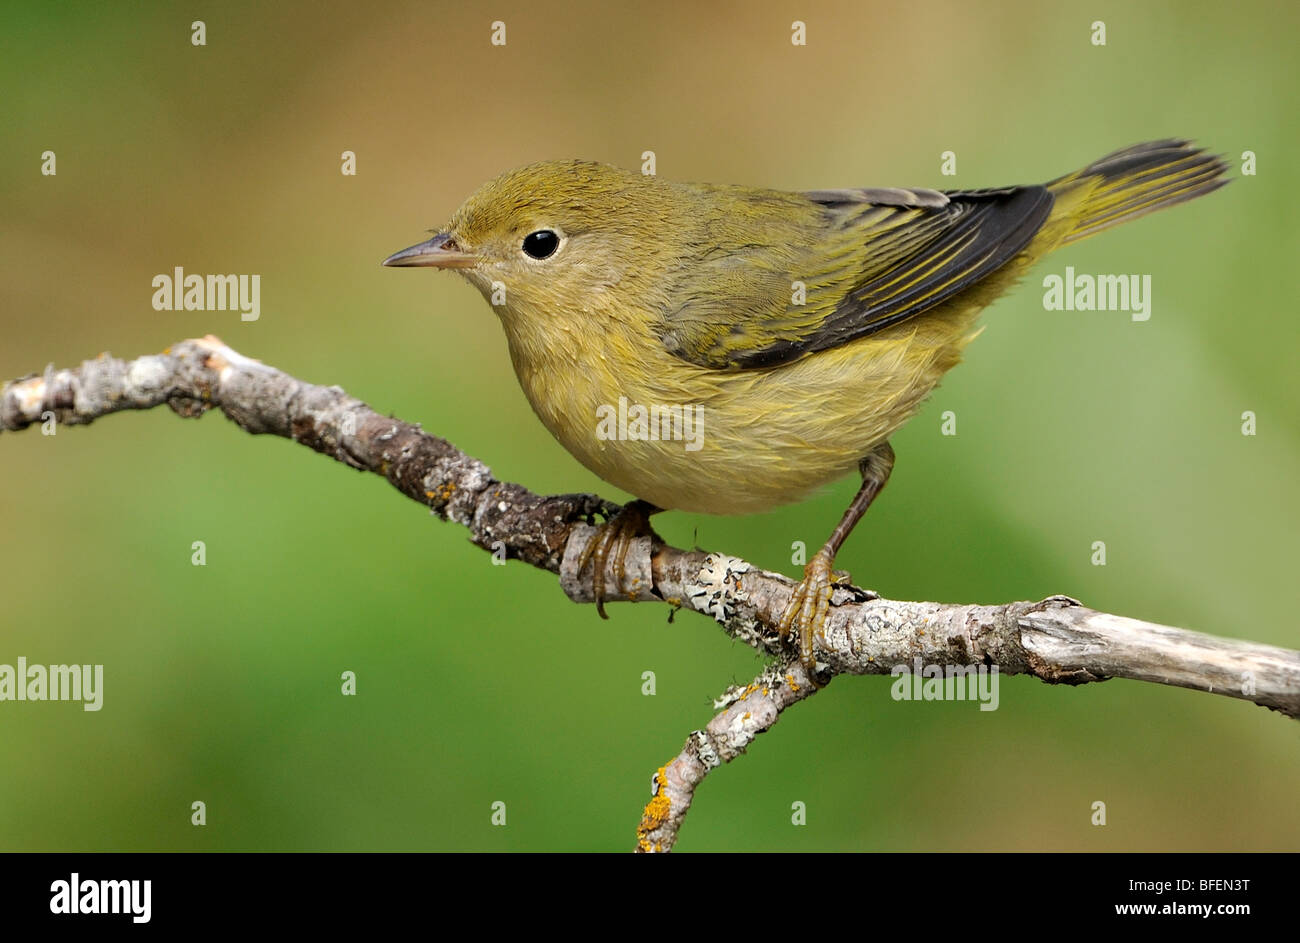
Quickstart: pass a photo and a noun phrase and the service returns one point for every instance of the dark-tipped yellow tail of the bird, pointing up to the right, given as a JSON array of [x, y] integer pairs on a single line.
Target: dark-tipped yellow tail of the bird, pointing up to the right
[[1133, 183]]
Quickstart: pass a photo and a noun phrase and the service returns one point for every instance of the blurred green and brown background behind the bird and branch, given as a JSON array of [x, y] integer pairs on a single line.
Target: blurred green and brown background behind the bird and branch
[[482, 684]]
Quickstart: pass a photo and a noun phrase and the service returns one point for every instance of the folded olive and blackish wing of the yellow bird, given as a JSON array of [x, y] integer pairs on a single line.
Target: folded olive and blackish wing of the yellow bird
[[864, 261]]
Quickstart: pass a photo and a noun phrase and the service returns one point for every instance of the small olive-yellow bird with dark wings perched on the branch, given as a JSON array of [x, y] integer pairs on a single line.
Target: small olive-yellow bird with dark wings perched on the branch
[[800, 328]]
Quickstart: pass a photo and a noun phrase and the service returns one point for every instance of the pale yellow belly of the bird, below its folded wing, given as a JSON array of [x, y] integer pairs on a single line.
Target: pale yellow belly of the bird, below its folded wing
[[740, 443]]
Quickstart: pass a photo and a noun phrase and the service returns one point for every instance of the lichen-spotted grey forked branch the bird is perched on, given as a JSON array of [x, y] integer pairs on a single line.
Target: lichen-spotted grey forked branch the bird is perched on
[[1058, 641]]
